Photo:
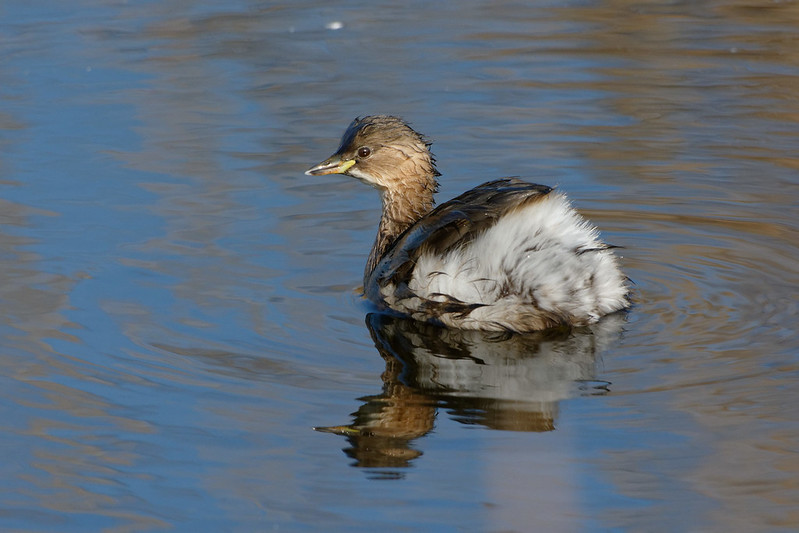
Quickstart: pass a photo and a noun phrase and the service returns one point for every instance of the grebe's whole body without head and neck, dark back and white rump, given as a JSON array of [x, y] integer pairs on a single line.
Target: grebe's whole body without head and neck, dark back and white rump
[[506, 255]]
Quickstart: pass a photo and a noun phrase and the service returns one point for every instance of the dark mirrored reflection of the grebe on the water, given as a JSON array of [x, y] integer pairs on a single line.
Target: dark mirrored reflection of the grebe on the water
[[504, 381]]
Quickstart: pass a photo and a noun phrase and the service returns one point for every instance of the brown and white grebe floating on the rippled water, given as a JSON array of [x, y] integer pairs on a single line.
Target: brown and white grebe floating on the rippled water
[[507, 255]]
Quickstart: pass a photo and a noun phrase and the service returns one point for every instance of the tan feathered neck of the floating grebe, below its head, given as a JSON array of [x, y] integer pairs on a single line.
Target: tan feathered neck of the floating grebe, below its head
[[401, 209]]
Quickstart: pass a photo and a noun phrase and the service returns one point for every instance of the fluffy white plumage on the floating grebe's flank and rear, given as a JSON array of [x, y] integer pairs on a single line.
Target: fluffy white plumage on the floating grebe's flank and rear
[[538, 266]]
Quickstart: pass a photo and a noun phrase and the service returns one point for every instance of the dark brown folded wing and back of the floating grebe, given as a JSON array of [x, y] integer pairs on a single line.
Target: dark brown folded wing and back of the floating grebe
[[450, 225]]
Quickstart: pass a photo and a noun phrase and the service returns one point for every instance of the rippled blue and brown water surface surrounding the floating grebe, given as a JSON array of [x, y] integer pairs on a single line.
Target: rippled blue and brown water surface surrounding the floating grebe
[[179, 304]]
